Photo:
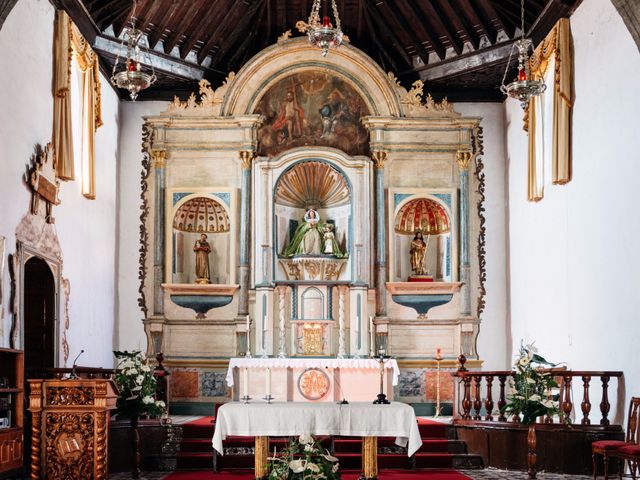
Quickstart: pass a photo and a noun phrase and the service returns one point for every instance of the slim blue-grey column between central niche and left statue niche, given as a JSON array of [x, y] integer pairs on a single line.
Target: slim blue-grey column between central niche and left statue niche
[[246, 156]]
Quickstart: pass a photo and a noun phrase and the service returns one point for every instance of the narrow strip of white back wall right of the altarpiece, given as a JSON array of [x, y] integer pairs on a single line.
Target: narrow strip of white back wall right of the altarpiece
[[493, 329]]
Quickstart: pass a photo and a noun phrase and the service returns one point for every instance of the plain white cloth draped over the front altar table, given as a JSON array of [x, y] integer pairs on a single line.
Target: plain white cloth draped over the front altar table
[[284, 419]]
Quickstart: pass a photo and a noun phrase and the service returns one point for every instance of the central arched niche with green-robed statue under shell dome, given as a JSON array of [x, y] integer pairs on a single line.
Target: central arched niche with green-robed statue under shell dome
[[313, 220]]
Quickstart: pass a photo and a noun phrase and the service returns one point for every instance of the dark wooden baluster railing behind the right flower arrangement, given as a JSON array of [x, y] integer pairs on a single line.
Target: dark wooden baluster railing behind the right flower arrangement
[[472, 401]]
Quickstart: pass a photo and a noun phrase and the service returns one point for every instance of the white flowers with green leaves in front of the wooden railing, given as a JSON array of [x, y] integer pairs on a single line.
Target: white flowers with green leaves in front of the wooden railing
[[531, 386]]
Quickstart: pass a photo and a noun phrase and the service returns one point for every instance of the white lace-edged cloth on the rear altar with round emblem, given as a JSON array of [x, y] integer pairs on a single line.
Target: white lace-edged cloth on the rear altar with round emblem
[[353, 363]]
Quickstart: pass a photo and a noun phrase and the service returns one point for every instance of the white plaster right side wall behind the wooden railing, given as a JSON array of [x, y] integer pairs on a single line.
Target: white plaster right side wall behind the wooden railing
[[574, 255]]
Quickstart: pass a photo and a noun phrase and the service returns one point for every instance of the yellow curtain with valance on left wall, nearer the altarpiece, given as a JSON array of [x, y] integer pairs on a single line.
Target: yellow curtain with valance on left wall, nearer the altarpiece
[[91, 106]]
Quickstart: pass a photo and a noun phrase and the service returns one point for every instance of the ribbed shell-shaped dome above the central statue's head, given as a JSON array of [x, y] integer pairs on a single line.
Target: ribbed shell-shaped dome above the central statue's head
[[312, 184]]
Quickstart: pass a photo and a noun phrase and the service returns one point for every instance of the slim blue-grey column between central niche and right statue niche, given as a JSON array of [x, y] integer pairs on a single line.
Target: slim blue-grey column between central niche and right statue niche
[[379, 158]]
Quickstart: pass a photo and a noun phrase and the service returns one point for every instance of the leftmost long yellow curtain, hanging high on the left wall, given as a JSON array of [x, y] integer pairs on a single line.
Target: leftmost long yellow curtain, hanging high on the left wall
[[62, 132]]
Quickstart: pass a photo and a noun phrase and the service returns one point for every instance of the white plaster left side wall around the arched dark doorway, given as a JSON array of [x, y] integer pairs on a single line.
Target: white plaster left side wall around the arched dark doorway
[[86, 228]]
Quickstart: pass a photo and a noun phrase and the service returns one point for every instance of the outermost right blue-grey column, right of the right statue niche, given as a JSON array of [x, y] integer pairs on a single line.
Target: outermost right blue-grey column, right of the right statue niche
[[463, 159]]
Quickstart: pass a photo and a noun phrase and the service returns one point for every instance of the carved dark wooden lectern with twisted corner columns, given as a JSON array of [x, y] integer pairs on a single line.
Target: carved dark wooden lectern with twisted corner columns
[[70, 427]]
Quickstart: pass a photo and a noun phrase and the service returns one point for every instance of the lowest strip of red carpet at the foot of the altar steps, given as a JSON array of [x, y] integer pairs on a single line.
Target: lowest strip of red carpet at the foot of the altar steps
[[383, 475]]
